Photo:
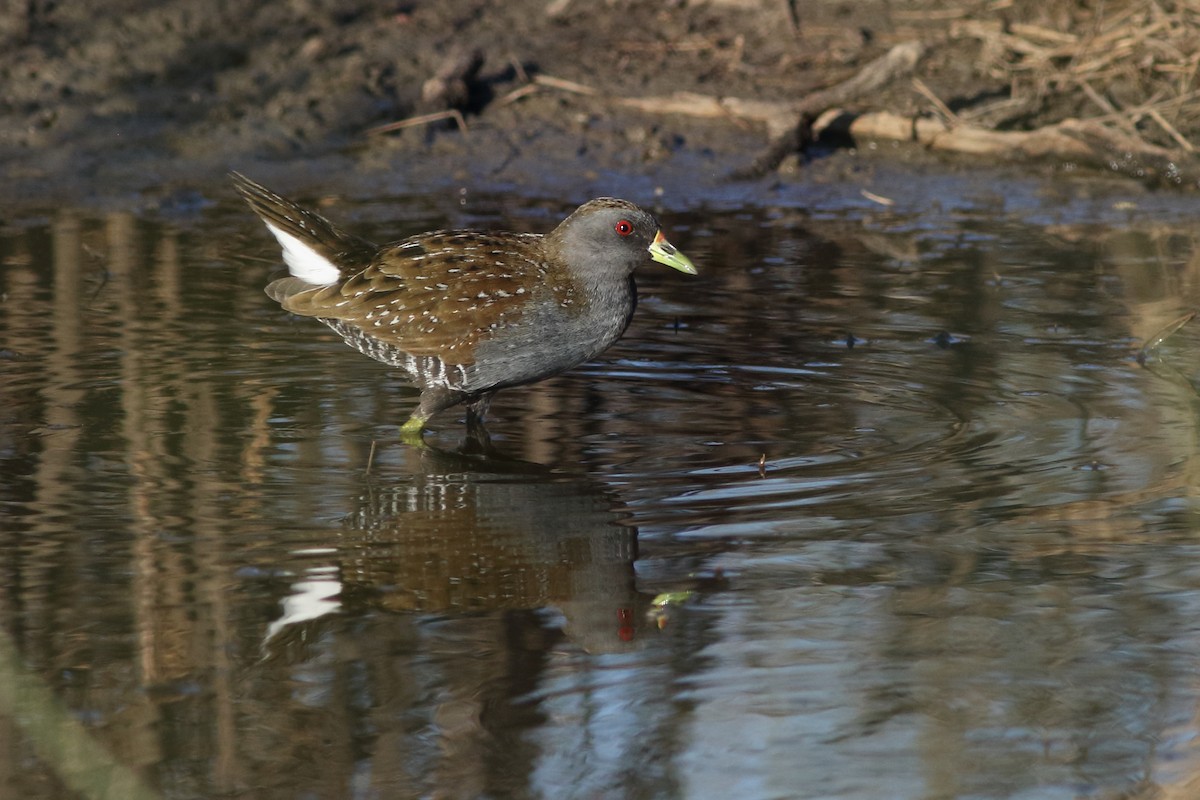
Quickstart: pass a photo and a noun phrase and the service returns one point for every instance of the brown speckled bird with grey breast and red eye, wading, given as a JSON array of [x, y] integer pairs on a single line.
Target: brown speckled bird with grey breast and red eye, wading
[[466, 314]]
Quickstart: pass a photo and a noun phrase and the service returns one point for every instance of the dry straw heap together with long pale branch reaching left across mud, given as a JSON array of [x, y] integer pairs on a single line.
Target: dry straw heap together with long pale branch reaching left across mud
[[1103, 86]]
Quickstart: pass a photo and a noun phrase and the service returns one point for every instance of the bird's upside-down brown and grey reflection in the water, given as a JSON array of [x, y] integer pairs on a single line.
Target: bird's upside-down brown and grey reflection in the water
[[476, 532]]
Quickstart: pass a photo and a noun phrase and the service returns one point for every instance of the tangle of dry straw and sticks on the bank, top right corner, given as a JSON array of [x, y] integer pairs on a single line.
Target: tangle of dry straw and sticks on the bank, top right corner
[[1109, 86]]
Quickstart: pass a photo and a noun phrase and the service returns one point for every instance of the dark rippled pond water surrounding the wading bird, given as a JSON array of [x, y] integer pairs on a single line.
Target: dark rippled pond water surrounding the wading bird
[[880, 506]]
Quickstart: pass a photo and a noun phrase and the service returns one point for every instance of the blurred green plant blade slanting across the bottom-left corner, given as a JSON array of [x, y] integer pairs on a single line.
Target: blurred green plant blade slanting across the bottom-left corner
[[62, 743]]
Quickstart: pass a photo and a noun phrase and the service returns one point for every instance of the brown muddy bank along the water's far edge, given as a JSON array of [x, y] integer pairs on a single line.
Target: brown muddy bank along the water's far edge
[[151, 104]]
